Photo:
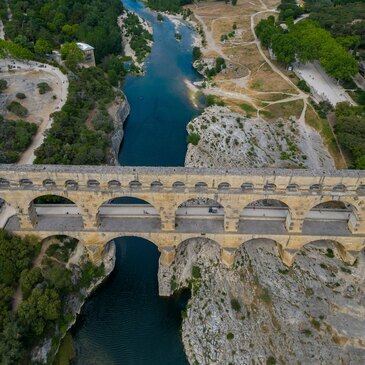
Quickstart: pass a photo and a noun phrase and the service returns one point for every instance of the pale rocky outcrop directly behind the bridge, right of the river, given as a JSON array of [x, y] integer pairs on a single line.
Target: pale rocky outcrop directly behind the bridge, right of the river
[[229, 139]]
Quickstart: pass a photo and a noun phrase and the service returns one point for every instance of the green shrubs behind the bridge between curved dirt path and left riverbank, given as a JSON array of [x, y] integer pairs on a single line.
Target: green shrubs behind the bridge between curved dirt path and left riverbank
[[70, 140]]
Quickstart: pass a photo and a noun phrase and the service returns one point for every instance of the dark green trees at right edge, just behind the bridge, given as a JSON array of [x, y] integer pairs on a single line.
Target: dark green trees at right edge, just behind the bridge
[[350, 132]]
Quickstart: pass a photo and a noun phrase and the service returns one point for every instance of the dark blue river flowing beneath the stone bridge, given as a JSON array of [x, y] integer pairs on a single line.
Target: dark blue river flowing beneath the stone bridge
[[126, 322]]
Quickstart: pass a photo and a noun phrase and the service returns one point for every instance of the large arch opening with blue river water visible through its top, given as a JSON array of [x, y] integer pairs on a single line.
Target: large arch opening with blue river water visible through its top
[[128, 214]]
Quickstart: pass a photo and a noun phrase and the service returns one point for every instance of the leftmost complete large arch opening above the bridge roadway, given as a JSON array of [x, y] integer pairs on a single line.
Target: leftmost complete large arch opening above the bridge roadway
[[55, 212]]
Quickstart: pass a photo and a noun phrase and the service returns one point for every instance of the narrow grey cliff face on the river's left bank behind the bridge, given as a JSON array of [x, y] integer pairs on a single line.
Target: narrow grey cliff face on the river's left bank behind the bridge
[[119, 111]]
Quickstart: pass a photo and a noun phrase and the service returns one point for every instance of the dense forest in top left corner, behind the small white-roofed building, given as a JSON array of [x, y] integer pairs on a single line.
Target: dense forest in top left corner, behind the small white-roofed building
[[41, 25]]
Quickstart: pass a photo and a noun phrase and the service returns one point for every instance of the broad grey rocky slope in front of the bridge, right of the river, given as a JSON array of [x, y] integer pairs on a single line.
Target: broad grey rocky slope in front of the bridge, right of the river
[[261, 312]]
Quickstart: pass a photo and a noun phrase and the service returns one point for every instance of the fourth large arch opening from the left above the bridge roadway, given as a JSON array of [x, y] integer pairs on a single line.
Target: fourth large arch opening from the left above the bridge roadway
[[257, 214]]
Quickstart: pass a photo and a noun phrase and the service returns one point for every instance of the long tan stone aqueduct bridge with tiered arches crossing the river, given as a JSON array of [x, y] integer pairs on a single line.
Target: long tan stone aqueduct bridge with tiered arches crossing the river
[[90, 187]]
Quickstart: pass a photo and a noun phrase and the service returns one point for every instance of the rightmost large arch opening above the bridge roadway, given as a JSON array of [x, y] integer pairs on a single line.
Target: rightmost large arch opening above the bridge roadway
[[329, 210]]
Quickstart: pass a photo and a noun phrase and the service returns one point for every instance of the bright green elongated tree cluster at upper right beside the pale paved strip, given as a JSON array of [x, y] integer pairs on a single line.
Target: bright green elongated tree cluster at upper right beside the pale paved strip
[[308, 42]]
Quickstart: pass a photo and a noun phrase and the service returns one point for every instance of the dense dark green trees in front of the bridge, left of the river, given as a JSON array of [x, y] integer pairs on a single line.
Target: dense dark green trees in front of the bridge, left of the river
[[45, 288]]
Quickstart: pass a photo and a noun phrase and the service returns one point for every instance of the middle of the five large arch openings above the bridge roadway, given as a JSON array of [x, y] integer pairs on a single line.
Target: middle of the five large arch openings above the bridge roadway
[[200, 215]]
